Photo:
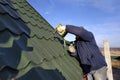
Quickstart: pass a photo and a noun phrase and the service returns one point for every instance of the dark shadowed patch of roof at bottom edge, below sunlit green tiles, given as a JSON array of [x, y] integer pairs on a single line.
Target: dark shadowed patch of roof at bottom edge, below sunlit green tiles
[[43, 74]]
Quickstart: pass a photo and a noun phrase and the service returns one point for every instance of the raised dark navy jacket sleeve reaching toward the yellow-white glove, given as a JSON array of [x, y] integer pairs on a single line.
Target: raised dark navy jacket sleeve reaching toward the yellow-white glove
[[79, 31]]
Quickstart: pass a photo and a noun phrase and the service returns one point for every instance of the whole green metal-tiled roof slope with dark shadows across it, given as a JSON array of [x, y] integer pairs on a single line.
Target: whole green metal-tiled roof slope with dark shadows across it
[[28, 50]]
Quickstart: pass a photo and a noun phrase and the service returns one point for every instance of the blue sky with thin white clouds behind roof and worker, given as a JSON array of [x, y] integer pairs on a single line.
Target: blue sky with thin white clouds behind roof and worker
[[102, 17]]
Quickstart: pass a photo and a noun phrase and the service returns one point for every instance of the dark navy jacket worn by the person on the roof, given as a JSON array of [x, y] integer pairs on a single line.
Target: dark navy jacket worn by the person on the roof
[[88, 52]]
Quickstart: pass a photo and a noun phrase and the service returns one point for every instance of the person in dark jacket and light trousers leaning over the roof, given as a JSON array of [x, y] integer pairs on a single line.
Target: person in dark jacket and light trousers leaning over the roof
[[91, 59]]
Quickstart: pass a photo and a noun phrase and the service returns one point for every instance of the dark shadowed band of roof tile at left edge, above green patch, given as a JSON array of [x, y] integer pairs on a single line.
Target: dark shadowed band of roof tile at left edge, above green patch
[[14, 25]]
